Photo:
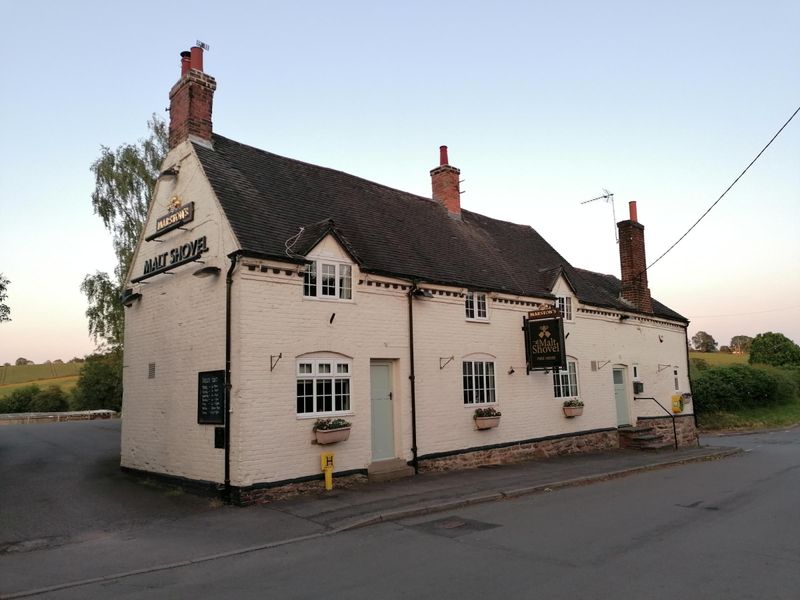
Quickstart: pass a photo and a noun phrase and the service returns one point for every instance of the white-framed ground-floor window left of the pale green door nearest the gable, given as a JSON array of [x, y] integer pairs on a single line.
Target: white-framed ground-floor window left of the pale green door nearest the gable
[[323, 386]]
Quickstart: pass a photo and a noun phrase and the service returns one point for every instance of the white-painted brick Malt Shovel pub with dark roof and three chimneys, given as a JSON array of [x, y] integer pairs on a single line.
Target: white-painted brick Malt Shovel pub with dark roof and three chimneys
[[266, 293]]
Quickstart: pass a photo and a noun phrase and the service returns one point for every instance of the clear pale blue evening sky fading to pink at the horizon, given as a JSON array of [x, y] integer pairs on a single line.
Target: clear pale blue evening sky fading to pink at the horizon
[[543, 105]]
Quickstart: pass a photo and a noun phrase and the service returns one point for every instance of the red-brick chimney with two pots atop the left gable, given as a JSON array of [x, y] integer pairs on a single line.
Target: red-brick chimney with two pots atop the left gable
[[190, 100]]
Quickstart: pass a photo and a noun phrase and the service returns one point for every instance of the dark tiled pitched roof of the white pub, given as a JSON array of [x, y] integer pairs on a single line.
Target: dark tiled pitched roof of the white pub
[[279, 208]]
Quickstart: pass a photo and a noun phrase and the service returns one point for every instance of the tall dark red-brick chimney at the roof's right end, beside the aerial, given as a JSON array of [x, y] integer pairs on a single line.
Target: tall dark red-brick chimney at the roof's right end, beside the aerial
[[633, 264]]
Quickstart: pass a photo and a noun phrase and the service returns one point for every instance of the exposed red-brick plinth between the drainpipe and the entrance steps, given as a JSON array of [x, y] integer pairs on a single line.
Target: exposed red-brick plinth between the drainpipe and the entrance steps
[[571, 444]]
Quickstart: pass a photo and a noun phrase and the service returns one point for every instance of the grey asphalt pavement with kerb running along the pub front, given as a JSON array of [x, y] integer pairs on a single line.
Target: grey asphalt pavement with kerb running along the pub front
[[223, 531]]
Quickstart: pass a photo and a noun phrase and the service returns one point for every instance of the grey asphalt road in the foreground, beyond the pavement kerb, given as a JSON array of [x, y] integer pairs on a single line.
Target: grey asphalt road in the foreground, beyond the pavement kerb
[[720, 529]]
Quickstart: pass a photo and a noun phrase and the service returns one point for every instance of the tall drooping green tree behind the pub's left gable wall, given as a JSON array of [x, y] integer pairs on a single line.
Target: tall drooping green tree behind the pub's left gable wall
[[124, 182]]
